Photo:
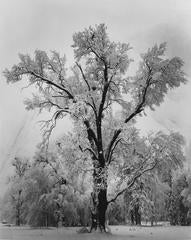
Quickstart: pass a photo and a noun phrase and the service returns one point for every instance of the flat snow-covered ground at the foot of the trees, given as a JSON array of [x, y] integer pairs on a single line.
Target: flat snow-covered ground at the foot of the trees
[[118, 233]]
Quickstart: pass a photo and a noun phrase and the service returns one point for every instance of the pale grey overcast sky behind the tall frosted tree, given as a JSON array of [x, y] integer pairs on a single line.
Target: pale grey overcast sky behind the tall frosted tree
[[27, 25]]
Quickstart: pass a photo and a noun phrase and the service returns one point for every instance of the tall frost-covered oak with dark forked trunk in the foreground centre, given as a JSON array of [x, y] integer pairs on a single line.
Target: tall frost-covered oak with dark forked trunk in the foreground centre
[[98, 81]]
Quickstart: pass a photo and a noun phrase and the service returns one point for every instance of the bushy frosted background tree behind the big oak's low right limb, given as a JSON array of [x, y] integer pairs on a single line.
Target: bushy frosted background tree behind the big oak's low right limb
[[157, 153]]
